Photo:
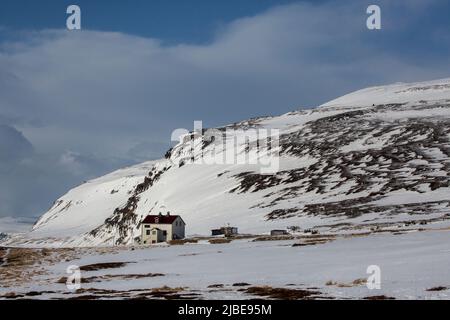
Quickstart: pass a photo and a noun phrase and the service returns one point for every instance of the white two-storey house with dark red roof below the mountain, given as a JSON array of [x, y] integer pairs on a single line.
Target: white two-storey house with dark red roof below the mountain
[[161, 228]]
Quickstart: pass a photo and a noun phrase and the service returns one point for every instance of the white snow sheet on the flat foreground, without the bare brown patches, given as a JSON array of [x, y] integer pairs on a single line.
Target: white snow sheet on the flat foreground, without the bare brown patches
[[410, 264]]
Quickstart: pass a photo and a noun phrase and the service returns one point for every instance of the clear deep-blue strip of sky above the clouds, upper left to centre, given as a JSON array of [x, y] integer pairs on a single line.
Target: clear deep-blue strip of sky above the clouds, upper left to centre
[[171, 21]]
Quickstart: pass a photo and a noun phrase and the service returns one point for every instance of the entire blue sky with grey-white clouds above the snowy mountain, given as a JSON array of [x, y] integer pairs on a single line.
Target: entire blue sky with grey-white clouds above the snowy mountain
[[77, 104]]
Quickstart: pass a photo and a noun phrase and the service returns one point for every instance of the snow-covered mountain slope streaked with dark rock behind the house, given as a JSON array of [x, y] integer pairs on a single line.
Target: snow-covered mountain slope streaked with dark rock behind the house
[[378, 156]]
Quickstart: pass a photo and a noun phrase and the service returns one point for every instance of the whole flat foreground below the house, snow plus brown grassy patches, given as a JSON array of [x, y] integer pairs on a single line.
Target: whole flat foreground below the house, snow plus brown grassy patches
[[331, 267]]
